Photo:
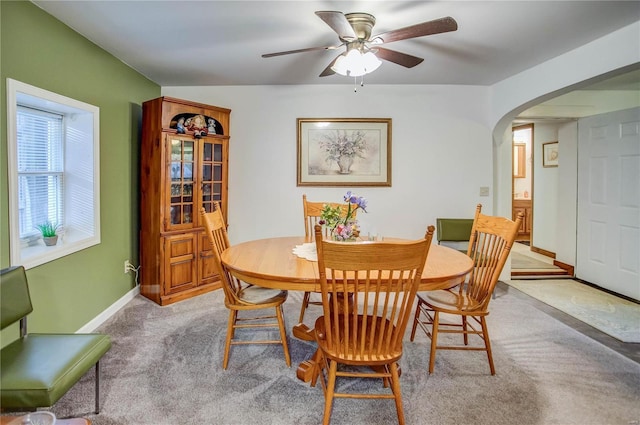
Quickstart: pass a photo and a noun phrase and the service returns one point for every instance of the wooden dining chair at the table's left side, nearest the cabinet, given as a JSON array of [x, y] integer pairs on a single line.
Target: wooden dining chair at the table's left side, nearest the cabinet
[[240, 297]]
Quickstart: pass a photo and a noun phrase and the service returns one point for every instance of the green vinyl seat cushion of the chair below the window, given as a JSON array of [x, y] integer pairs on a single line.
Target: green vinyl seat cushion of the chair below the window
[[37, 370]]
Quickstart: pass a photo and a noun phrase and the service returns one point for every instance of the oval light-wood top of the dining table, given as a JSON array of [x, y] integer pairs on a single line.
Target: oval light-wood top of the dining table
[[271, 263]]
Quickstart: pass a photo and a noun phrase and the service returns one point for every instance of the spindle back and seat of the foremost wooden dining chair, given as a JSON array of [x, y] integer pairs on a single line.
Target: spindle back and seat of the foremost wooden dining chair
[[381, 282]]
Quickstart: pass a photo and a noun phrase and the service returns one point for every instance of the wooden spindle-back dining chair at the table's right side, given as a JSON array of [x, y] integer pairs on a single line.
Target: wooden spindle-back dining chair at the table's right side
[[489, 246]]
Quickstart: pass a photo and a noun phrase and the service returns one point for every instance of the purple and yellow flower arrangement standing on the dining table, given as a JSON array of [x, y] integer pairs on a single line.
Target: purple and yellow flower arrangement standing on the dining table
[[343, 227]]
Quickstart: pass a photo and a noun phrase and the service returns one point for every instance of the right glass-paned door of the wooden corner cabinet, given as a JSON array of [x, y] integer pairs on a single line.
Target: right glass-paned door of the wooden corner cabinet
[[212, 163]]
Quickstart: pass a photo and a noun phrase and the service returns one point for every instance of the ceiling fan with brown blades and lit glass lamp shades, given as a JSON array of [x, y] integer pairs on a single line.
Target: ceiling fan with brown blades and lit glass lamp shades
[[354, 32]]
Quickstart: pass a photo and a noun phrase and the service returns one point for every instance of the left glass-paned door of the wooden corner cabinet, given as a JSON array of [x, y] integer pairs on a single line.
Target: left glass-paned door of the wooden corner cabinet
[[181, 174]]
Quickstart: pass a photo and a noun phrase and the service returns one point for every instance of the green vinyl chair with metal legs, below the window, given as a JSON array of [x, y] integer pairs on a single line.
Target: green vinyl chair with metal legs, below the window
[[36, 370]]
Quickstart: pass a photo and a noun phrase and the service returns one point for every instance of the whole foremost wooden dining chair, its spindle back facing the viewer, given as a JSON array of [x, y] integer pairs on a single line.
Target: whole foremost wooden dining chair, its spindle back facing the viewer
[[365, 316]]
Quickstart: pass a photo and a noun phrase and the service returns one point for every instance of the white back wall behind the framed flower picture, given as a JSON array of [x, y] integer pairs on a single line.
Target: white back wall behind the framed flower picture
[[441, 153]]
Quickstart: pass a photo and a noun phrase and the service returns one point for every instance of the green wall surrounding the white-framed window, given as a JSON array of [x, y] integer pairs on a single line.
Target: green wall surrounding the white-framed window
[[37, 49]]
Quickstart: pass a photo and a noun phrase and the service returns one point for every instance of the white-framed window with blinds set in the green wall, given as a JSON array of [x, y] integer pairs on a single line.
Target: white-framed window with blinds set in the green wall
[[53, 146]]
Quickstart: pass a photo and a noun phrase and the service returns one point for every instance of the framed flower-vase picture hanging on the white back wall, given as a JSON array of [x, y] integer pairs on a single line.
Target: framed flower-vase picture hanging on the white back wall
[[344, 152]]
